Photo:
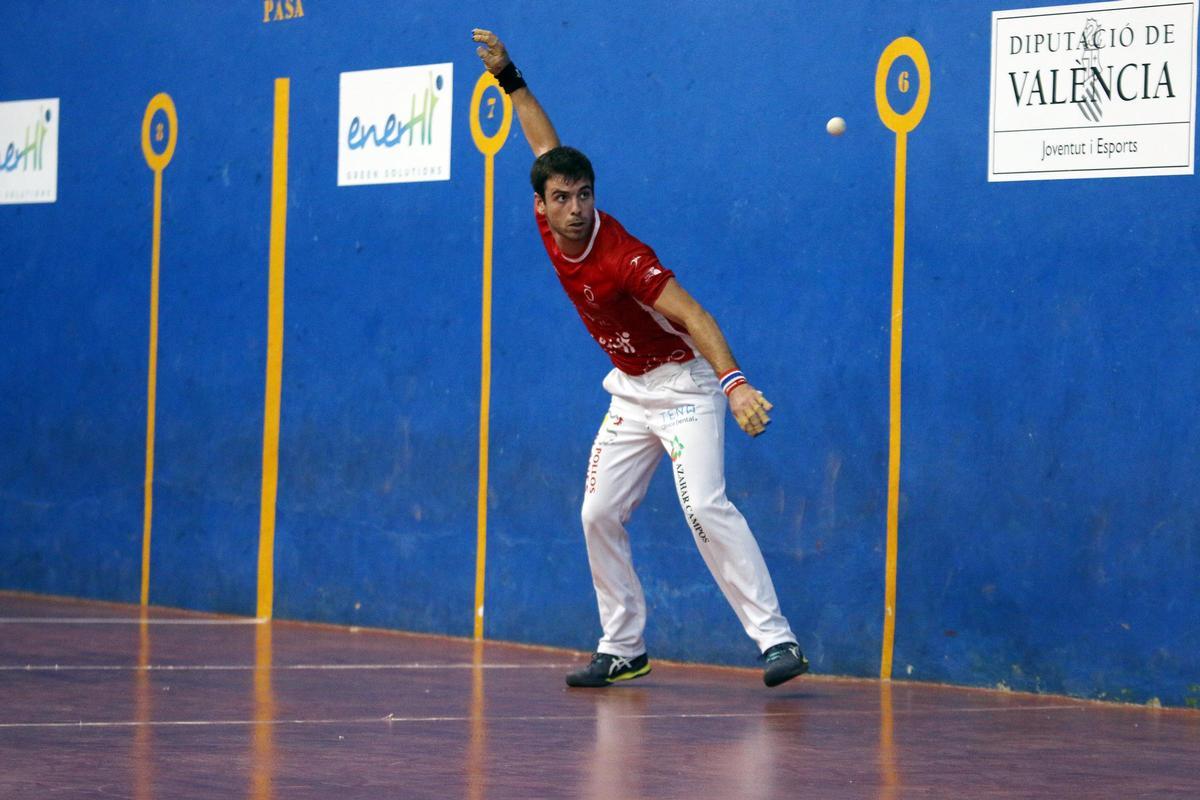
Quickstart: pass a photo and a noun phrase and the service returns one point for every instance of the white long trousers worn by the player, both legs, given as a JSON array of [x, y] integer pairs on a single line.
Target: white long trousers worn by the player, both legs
[[677, 408]]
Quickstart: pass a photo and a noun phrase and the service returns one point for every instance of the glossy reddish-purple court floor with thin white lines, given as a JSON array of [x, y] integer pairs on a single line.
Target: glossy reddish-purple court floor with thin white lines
[[95, 703]]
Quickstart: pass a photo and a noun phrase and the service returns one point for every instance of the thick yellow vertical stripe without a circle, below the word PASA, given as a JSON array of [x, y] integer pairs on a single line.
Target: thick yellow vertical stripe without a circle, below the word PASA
[[274, 352]]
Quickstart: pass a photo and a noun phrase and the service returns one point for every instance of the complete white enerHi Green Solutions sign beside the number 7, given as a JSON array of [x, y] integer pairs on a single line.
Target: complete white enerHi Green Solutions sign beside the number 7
[[394, 125]]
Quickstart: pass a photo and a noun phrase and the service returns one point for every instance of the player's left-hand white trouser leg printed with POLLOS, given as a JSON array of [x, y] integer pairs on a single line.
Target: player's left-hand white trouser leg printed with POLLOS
[[620, 468]]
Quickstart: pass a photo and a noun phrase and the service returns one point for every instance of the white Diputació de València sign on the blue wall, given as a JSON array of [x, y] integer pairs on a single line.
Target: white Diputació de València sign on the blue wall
[[1096, 91]]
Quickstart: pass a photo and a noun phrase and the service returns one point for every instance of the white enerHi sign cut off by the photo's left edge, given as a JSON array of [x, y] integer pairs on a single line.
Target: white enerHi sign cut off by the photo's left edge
[[29, 152]]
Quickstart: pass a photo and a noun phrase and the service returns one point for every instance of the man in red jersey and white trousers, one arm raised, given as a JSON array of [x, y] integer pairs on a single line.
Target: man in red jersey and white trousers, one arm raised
[[673, 375]]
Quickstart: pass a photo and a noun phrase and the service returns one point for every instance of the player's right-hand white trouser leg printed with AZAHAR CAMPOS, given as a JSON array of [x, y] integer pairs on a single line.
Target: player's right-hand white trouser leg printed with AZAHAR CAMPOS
[[694, 436]]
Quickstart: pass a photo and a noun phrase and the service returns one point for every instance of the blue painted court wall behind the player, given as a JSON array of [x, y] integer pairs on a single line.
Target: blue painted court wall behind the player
[[1051, 498]]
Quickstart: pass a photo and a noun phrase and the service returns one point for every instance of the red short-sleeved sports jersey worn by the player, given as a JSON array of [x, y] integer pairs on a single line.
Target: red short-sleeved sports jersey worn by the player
[[614, 286]]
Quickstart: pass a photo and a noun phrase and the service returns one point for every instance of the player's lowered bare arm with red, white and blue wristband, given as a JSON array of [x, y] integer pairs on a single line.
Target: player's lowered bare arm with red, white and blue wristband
[[747, 405]]
